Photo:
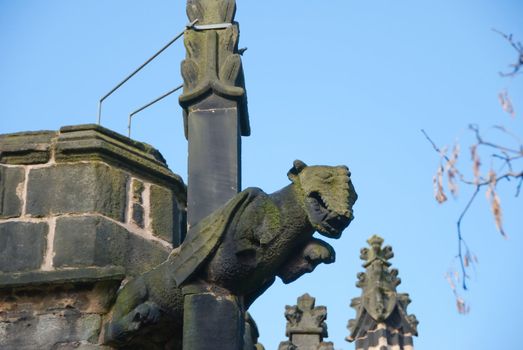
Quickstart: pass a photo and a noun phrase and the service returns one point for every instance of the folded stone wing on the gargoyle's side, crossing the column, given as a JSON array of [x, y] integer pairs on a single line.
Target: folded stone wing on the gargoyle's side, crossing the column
[[203, 239]]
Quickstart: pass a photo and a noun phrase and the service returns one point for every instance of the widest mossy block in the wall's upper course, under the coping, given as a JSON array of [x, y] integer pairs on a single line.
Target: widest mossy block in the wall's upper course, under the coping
[[77, 188]]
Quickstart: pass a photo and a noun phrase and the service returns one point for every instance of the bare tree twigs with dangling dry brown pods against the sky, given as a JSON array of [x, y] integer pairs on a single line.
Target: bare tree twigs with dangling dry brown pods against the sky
[[503, 157]]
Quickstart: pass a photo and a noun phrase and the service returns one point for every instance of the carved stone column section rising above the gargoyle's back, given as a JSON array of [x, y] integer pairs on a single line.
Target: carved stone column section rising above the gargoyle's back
[[215, 106]]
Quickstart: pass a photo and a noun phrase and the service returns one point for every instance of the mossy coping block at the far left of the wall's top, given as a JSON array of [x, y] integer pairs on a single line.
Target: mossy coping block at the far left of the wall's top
[[26, 147]]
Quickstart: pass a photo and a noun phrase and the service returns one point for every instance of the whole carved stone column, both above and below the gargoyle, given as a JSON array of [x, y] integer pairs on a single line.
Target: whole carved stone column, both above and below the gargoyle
[[215, 118]]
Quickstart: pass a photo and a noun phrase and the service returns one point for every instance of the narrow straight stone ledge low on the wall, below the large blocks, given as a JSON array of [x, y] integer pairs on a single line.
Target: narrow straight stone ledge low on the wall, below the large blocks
[[81, 275]]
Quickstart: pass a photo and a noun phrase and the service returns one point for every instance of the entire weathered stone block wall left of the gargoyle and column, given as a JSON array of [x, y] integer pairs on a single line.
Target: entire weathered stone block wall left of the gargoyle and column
[[81, 210]]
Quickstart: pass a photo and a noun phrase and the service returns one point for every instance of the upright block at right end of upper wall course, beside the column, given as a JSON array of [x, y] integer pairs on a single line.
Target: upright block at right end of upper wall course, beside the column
[[164, 215]]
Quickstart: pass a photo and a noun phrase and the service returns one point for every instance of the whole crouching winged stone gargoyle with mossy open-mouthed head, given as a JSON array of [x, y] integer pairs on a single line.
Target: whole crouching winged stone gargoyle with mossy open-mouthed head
[[241, 247]]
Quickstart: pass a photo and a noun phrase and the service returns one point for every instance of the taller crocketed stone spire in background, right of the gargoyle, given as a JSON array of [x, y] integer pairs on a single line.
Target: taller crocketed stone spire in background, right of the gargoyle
[[381, 313]]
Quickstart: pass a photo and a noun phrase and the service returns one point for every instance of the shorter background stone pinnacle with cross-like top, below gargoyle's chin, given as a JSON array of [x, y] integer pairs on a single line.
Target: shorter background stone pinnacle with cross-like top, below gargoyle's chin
[[306, 326]]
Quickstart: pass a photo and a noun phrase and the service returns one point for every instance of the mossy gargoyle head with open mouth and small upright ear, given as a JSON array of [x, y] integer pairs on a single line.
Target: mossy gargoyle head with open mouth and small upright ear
[[328, 196]]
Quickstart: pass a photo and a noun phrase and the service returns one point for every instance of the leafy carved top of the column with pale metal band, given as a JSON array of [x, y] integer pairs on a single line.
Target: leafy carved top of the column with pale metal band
[[213, 61]]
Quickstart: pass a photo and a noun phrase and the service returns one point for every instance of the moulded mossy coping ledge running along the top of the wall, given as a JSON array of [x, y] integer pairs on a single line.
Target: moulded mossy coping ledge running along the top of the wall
[[91, 142]]
